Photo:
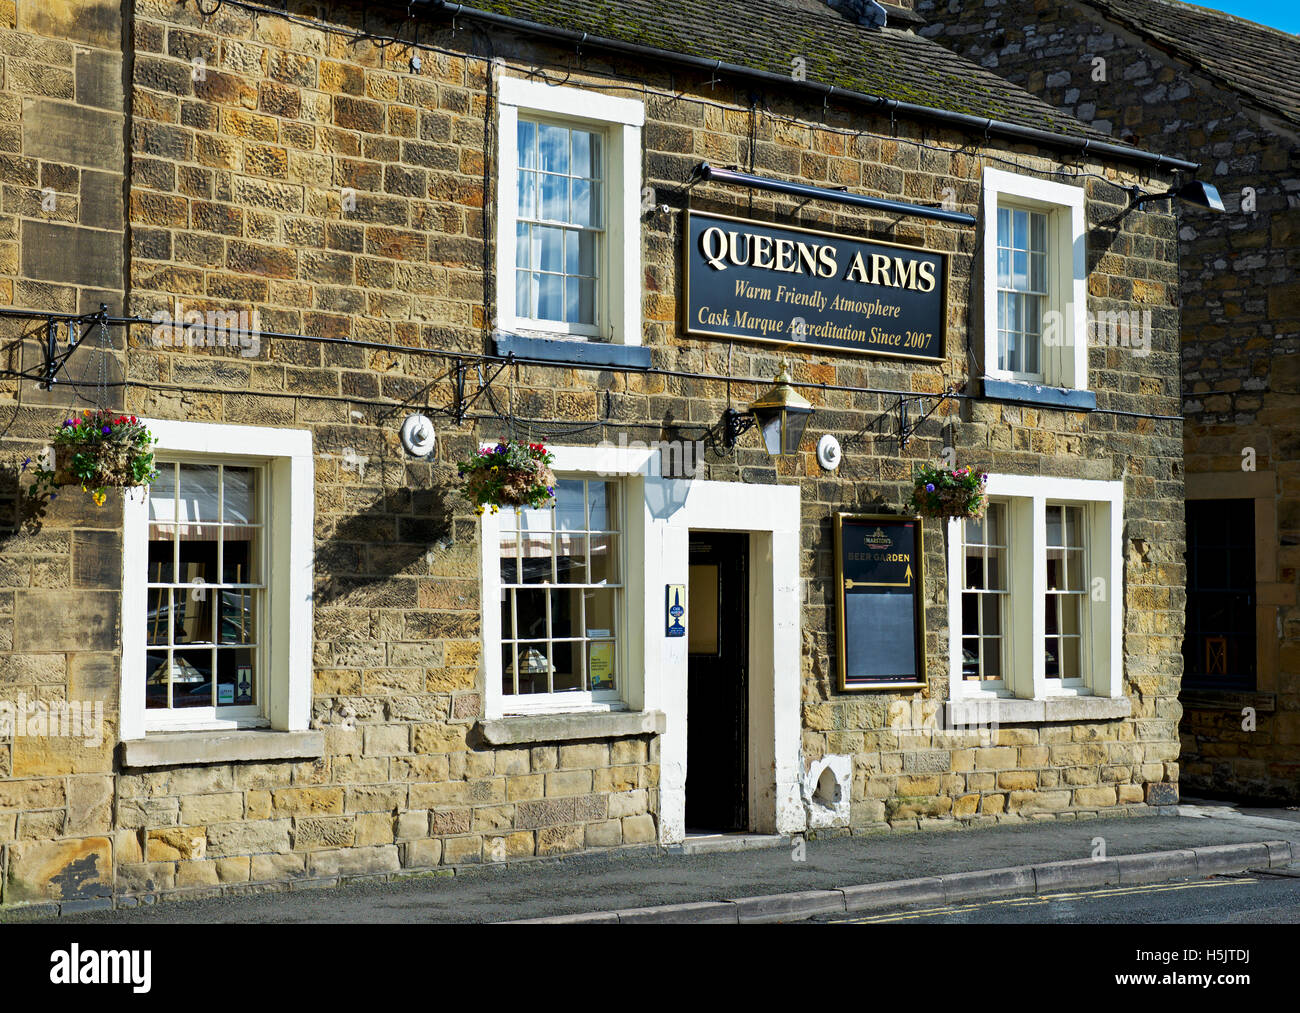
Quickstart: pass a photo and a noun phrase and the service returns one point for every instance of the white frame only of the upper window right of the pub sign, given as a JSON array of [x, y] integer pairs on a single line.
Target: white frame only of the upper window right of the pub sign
[[1064, 357]]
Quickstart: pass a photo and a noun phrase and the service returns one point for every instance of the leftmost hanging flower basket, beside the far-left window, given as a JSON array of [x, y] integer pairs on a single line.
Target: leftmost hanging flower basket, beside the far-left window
[[101, 451]]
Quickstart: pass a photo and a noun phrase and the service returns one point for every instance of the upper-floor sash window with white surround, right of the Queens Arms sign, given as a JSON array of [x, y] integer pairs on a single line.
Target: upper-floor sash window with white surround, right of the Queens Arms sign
[[1035, 282]]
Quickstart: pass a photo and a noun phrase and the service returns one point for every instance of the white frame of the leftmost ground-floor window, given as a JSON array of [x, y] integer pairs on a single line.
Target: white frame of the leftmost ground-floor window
[[287, 458]]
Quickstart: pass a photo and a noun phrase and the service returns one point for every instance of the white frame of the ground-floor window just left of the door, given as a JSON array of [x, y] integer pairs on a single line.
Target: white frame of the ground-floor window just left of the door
[[626, 469]]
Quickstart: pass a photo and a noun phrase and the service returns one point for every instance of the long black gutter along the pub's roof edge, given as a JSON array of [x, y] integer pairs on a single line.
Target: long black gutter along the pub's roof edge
[[892, 107]]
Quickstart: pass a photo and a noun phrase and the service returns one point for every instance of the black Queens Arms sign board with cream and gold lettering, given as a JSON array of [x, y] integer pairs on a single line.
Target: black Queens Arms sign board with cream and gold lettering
[[798, 287]]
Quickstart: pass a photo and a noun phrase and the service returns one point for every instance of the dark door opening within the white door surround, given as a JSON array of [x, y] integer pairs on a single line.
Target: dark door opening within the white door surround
[[718, 683]]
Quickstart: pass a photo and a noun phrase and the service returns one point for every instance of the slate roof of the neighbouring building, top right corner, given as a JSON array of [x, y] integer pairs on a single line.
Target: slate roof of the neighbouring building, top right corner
[[1254, 60]]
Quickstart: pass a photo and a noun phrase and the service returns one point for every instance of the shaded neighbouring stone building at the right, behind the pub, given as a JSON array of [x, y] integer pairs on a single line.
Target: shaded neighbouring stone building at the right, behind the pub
[[1173, 77]]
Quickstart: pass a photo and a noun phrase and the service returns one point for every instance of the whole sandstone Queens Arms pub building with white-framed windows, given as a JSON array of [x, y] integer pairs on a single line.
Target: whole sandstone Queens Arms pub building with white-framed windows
[[314, 661]]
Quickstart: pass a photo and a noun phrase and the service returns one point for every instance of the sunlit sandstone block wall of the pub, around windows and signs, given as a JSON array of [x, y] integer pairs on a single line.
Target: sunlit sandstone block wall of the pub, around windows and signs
[[237, 188]]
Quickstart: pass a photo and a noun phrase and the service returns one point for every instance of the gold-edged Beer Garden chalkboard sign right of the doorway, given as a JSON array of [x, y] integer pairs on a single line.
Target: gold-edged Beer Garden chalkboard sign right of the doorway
[[879, 581]]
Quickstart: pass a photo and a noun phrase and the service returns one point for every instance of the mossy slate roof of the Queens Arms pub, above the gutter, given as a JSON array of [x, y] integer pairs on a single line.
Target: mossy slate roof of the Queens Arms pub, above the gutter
[[770, 34]]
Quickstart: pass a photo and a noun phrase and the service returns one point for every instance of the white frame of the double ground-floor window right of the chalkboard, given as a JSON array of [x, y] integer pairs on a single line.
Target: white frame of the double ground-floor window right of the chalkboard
[[1102, 664]]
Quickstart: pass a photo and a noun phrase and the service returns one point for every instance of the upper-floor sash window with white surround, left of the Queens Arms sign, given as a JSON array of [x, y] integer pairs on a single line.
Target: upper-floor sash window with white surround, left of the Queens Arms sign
[[569, 214]]
